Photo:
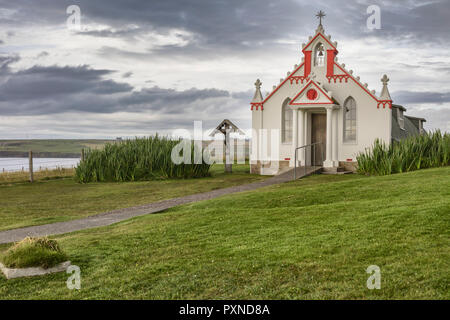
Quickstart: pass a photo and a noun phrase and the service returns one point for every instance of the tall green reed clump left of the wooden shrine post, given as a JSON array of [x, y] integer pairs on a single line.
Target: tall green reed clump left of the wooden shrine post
[[136, 159]]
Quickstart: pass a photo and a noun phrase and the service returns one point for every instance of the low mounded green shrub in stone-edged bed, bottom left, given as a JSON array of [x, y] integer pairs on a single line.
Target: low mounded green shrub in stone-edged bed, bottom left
[[34, 252]]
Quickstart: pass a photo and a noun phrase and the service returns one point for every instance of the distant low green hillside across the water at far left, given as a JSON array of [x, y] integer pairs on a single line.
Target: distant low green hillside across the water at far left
[[52, 145]]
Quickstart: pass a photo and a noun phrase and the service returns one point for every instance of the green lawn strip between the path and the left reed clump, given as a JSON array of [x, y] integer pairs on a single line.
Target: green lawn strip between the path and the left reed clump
[[24, 204]]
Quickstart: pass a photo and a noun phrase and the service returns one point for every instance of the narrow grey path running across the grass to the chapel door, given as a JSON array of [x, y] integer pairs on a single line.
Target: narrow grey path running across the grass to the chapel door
[[111, 217]]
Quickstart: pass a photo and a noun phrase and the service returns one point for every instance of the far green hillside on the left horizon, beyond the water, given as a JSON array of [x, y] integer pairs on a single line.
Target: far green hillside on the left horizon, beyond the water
[[57, 148]]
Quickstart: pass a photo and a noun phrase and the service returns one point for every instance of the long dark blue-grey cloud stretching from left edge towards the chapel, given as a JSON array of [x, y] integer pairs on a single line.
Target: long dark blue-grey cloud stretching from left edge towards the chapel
[[49, 90]]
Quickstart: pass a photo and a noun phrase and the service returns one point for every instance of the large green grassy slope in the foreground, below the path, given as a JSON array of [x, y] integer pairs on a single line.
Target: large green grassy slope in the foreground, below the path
[[308, 239]]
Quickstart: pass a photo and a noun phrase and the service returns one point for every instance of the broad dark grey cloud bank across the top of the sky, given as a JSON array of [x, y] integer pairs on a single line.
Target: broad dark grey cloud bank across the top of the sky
[[243, 24]]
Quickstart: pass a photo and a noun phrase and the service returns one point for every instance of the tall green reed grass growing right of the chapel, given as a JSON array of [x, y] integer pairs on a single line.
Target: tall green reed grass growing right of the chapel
[[413, 153]]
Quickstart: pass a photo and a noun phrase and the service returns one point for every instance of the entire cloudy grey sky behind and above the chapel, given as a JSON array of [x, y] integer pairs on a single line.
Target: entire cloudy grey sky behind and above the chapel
[[138, 67]]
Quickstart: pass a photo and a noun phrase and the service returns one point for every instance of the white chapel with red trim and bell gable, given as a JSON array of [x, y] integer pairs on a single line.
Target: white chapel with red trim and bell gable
[[323, 113]]
